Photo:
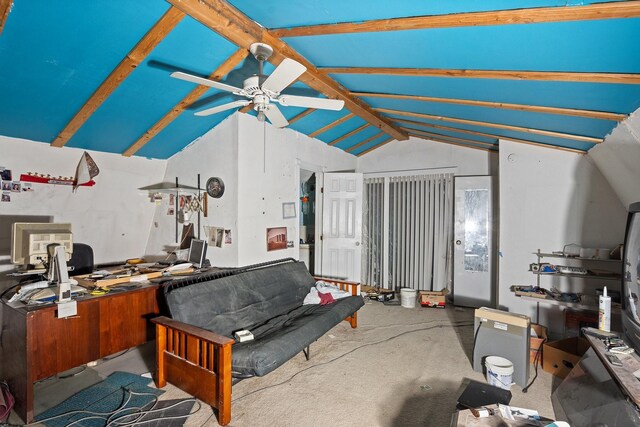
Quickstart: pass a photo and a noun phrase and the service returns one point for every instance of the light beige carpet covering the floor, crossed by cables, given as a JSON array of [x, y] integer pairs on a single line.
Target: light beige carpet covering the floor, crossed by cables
[[400, 367]]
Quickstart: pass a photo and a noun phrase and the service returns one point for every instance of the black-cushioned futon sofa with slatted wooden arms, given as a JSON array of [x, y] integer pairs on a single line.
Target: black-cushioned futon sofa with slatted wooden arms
[[195, 347]]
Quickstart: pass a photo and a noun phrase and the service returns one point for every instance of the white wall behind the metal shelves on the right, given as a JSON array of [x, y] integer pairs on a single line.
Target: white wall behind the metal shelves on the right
[[549, 198]]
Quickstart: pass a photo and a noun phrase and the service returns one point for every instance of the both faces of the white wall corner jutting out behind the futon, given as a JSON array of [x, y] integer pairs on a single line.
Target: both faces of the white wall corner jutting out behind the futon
[[255, 190]]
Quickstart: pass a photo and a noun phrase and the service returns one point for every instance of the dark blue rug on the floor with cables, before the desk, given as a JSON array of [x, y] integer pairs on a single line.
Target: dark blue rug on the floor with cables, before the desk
[[105, 397]]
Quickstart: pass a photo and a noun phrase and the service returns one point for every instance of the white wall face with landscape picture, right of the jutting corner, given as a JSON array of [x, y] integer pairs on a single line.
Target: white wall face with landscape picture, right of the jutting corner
[[264, 186]]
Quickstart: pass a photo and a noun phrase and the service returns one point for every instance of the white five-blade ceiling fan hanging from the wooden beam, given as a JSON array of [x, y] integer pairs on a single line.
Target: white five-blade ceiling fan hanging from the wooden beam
[[264, 91]]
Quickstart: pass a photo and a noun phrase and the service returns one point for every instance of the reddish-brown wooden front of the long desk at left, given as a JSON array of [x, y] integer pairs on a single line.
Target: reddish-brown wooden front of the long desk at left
[[35, 344]]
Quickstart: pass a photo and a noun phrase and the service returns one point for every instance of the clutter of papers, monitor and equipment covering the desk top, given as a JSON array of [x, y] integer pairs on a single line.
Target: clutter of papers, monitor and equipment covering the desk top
[[42, 252]]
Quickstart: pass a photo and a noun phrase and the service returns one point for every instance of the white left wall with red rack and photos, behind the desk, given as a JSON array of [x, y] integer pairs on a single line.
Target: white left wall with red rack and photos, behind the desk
[[112, 216]]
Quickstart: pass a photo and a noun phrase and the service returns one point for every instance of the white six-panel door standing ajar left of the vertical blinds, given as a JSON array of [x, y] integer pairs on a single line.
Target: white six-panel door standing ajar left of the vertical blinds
[[342, 226]]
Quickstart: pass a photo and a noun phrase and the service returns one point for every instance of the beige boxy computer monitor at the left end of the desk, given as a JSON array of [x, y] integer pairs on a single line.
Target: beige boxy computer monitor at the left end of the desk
[[29, 241]]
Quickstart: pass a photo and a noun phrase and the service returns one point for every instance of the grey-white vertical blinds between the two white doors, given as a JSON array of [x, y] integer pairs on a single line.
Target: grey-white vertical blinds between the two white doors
[[419, 234]]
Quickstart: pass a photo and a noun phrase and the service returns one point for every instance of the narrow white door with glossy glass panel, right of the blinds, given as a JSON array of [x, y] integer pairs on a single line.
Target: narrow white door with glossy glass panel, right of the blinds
[[473, 242]]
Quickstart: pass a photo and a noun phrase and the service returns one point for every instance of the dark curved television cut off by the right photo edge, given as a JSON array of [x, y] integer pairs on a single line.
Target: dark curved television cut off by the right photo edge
[[631, 278]]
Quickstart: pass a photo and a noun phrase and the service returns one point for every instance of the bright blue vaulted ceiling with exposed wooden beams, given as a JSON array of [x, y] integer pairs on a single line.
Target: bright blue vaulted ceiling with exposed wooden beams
[[95, 74]]
